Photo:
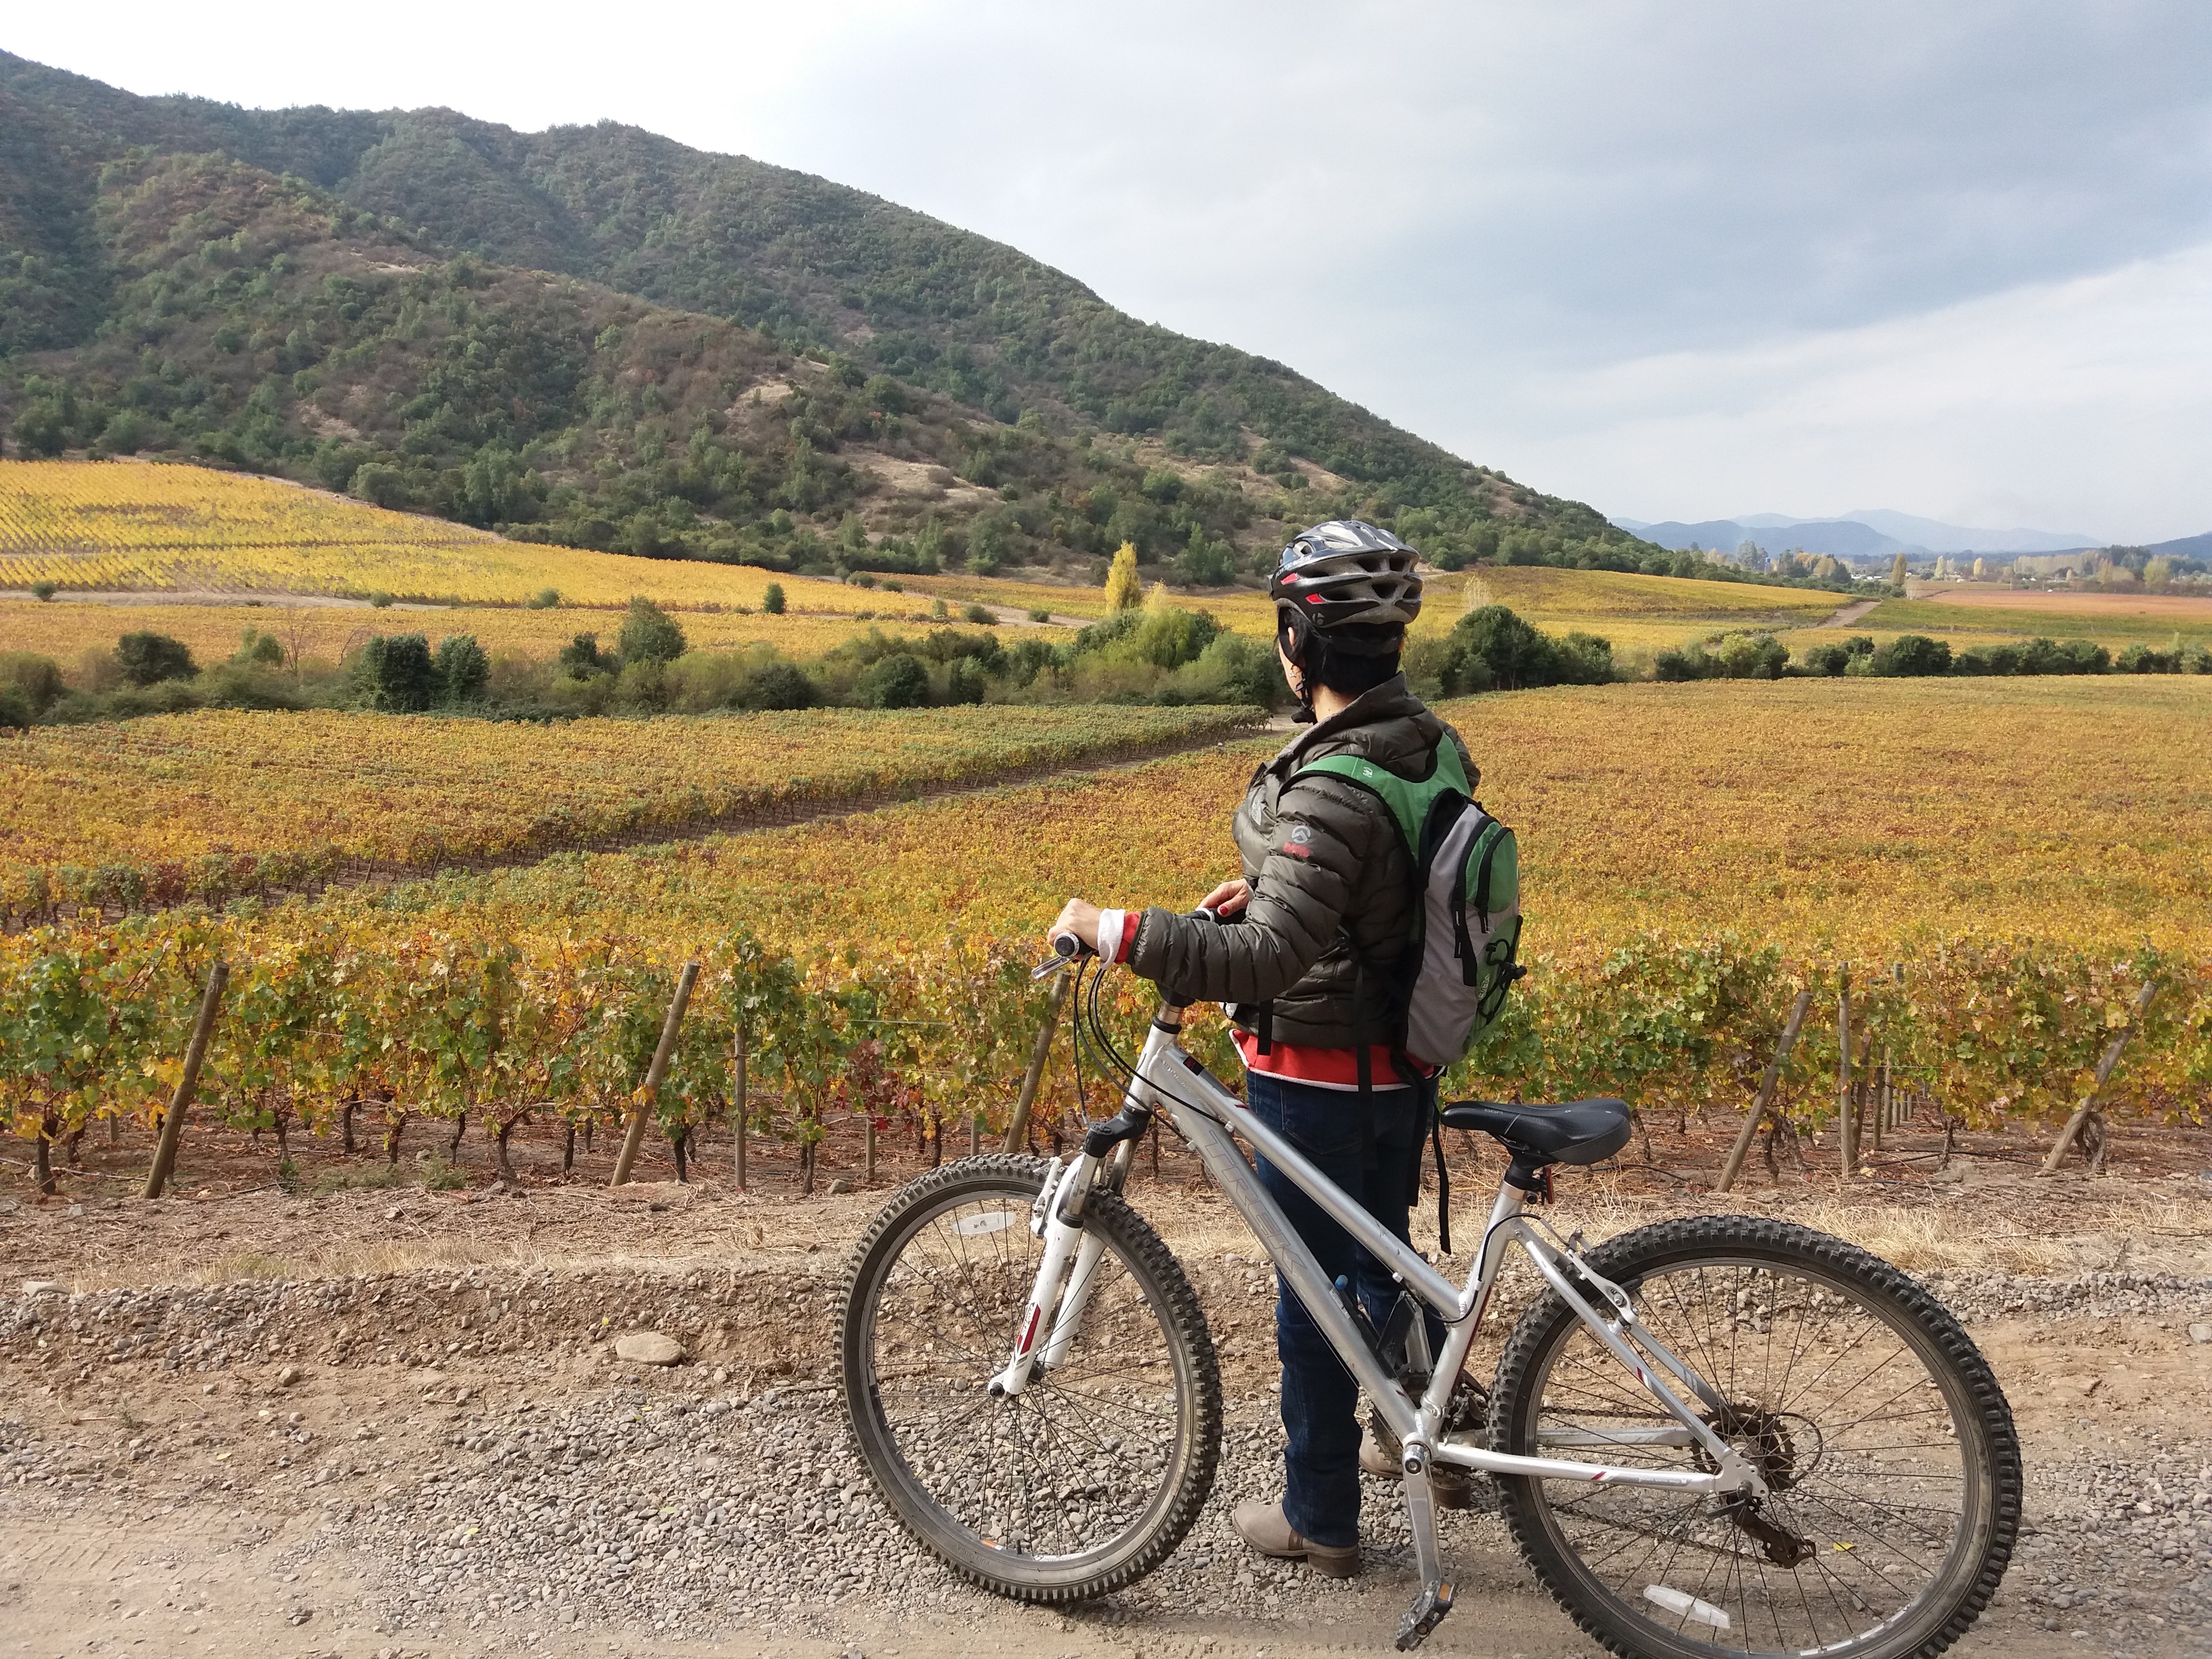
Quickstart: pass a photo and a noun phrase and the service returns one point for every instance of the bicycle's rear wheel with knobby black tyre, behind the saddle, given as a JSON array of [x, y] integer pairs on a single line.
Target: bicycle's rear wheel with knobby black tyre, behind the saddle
[[1886, 1443]]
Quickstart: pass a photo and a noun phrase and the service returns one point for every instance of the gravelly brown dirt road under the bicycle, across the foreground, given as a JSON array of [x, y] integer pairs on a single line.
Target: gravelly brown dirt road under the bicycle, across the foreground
[[459, 1430]]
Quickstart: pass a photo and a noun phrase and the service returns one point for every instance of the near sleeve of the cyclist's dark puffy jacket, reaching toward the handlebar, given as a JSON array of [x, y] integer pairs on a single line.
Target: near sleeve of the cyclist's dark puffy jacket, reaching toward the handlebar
[[1297, 908]]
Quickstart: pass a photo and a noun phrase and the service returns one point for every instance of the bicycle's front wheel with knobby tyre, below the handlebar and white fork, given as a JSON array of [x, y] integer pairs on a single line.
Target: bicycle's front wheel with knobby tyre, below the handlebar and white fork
[[1085, 1481]]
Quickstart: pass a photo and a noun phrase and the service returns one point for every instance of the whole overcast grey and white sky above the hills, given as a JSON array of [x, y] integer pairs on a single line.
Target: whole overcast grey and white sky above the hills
[[1676, 260]]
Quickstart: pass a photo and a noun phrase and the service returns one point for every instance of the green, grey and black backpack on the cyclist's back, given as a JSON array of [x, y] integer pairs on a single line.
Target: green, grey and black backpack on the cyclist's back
[[1461, 963]]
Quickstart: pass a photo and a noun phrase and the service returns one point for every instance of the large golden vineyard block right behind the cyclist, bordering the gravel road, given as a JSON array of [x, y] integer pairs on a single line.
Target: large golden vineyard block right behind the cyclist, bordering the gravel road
[[1928, 846]]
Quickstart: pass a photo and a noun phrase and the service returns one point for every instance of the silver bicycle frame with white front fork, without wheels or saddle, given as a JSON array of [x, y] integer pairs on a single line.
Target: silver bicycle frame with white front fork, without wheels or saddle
[[1211, 1118]]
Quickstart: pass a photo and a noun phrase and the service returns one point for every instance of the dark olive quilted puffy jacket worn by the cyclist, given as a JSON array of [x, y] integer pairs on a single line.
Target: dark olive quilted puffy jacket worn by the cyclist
[[1333, 886]]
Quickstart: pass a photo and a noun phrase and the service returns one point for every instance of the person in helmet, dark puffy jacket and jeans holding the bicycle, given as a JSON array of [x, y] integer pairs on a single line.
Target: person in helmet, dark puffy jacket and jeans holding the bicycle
[[1306, 959]]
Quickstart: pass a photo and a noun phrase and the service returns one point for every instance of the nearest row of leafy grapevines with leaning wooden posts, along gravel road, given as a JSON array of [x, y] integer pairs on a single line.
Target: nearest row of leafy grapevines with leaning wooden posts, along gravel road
[[335, 1014]]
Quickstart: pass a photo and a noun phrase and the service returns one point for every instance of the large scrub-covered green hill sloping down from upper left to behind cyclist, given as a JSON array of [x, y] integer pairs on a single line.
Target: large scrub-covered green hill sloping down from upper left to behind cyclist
[[601, 337]]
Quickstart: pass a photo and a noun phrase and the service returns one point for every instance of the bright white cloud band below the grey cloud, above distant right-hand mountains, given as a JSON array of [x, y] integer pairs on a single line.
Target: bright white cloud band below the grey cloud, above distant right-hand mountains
[[2083, 404]]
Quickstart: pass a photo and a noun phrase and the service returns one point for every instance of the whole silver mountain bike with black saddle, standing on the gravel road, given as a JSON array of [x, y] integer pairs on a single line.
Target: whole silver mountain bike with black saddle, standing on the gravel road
[[1713, 1437]]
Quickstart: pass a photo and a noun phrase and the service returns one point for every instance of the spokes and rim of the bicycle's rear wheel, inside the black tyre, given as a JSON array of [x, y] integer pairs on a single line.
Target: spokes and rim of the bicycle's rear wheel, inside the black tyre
[[1819, 1388]]
